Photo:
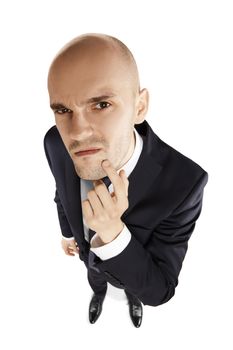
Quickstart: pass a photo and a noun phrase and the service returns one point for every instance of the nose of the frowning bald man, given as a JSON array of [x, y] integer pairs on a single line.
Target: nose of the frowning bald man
[[80, 128]]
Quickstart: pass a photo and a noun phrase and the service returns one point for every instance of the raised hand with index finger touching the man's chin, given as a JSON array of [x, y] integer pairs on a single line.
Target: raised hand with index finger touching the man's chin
[[102, 210]]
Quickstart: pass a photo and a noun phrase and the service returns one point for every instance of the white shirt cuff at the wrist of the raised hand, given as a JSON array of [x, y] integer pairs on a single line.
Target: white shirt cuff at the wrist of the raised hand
[[112, 248]]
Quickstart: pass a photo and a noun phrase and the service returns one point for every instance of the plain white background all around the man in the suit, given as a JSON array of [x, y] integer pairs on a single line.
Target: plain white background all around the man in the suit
[[184, 55]]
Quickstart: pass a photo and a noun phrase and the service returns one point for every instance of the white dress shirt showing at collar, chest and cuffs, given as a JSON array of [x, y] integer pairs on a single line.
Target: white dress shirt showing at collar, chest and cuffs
[[116, 246]]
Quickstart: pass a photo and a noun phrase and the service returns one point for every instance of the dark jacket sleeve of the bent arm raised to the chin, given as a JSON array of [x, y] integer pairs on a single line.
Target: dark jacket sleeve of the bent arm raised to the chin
[[151, 272]]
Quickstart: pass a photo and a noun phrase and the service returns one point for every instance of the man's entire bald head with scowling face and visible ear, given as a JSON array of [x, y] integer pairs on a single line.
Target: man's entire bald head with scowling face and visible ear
[[94, 92]]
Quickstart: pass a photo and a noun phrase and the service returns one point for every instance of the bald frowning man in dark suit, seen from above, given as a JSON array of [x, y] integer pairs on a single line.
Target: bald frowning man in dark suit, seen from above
[[129, 220]]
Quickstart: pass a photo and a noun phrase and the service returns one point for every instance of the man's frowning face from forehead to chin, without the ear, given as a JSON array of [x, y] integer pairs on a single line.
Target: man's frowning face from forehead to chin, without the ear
[[94, 107]]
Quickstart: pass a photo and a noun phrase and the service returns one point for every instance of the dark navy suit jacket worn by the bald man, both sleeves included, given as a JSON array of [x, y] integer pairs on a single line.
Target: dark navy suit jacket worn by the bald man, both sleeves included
[[165, 199]]
